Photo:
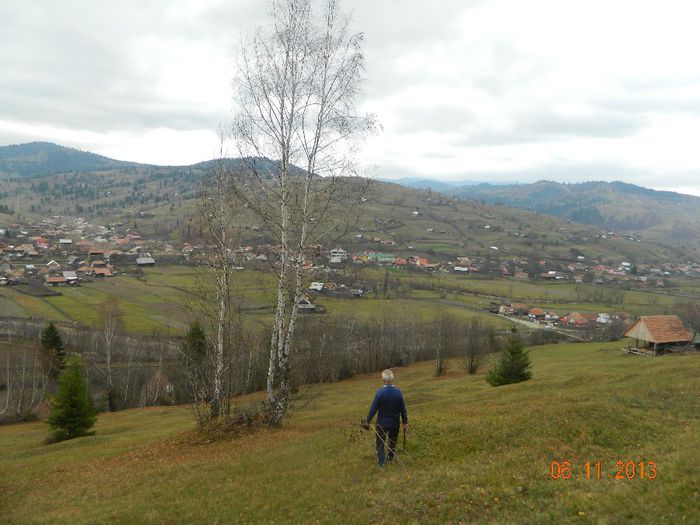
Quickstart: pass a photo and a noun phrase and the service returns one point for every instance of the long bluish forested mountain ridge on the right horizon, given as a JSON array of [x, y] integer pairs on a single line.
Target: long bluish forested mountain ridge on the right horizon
[[613, 206]]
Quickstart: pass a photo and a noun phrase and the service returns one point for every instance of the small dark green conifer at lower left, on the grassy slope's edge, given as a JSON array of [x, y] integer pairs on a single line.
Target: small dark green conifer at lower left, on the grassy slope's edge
[[72, 411]]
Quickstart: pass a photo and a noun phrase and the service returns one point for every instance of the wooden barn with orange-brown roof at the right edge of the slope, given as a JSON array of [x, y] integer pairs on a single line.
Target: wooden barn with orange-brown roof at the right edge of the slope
[[659, 333]]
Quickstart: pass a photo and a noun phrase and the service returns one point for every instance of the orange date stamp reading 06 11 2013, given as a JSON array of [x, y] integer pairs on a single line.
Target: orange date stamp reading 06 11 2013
[[596, 470]]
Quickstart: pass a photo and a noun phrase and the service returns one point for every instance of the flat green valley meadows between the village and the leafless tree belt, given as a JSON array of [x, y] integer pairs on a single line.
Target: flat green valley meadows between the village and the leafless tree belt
[[159, 300]]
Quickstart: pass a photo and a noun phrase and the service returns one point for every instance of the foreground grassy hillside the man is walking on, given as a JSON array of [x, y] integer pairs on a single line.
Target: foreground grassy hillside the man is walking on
[[475, 454]]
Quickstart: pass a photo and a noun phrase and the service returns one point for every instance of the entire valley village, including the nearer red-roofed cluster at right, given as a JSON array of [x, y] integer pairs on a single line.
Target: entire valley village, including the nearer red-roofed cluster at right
[[59, 252]]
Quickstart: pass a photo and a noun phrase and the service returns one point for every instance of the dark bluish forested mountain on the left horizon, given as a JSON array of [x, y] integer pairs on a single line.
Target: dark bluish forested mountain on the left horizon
[[39, 159]]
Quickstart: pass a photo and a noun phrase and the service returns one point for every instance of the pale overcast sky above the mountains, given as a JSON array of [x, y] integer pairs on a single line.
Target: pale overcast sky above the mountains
[[483, 90]]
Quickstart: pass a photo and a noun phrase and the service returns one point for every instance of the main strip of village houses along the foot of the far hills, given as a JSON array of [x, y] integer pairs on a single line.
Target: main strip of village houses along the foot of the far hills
[[63, 251]]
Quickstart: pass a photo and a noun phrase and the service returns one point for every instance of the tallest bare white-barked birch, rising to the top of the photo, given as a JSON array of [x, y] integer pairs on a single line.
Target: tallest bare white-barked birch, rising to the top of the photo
[[296, 87]]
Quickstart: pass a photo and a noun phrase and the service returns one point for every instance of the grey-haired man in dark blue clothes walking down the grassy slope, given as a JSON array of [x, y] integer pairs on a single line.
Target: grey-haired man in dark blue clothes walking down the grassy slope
[[389, 402]]
